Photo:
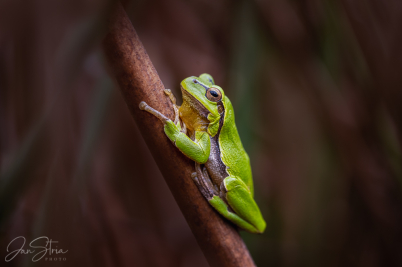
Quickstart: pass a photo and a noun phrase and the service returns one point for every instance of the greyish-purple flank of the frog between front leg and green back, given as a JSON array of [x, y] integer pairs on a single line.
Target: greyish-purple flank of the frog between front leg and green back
[[216, 168]]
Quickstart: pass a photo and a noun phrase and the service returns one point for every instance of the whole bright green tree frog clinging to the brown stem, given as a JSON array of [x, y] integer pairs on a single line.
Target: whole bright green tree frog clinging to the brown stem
[[204, 130]]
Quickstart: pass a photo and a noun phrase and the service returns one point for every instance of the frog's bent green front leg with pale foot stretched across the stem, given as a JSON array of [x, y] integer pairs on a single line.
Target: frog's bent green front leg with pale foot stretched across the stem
[[197, 149]]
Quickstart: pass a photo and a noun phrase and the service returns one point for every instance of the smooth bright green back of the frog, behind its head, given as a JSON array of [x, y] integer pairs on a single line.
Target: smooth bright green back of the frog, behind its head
[[233, 154]]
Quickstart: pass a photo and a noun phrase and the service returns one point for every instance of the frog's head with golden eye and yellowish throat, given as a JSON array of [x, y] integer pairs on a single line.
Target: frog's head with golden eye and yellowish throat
[[202, 103]]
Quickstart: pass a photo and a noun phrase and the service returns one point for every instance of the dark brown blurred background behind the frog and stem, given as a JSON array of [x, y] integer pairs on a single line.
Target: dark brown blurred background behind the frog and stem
[[316, 88]]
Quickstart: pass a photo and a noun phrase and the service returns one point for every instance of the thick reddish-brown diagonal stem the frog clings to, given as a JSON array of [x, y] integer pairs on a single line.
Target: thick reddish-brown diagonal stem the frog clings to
[[139, 81]]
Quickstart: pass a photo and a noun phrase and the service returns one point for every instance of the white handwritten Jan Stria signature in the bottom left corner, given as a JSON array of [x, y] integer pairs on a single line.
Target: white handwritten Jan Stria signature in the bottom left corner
[[36, 248]]
